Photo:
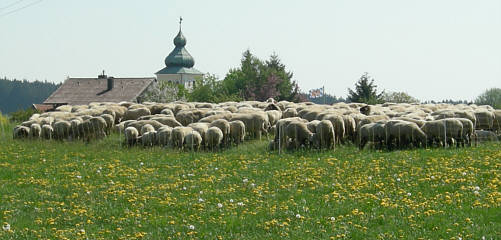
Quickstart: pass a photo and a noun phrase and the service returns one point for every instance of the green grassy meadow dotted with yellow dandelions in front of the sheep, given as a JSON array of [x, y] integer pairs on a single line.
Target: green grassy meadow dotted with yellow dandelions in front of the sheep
[[101, 190]]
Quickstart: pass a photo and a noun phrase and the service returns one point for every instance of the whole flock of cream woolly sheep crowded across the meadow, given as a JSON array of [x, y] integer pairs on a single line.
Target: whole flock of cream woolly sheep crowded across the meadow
[[210, 126]]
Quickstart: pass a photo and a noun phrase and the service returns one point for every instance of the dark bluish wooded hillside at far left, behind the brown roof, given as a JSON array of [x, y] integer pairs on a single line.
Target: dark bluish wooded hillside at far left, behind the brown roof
[[17, 94]]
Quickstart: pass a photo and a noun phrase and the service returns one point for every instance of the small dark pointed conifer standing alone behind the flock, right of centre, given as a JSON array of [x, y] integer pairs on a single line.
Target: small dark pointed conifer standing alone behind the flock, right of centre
[[365, 91]]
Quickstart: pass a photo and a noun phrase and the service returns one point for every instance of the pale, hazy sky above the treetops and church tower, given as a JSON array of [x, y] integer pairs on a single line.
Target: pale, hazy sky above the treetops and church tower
[[431, 49]]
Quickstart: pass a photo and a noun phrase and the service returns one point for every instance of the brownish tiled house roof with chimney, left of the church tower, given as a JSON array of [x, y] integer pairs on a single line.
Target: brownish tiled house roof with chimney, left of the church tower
[[76, 91]]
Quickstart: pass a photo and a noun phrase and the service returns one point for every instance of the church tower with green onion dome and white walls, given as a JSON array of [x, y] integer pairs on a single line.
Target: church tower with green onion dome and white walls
[[179, 64]]
